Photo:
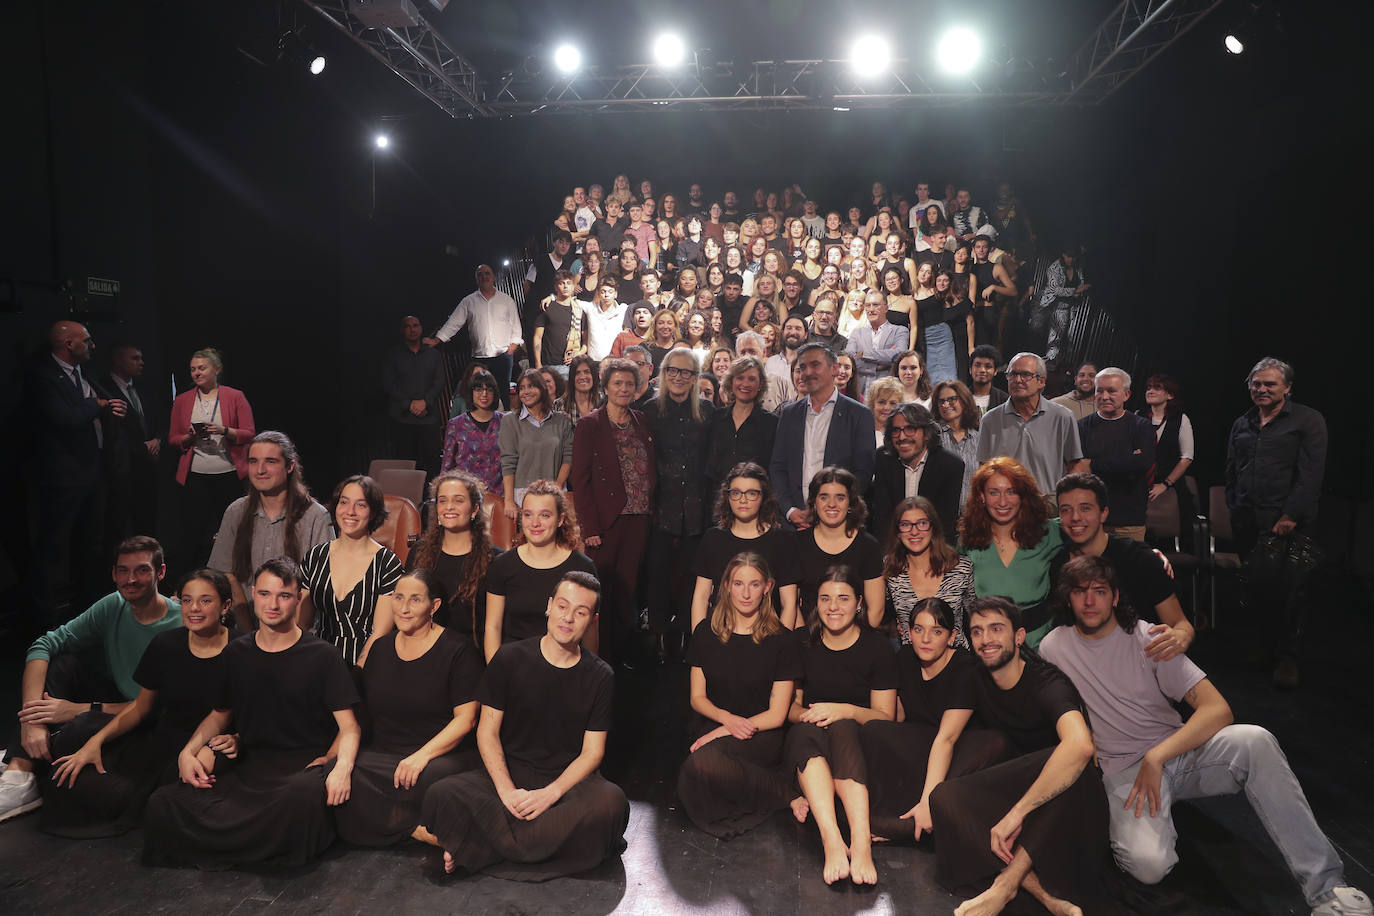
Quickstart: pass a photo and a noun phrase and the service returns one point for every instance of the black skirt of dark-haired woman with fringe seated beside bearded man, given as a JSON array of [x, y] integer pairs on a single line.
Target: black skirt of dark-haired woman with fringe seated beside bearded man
[[898, 755]]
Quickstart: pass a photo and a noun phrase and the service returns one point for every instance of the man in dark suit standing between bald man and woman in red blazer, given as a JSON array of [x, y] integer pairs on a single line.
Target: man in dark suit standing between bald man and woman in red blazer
[[131, 453]]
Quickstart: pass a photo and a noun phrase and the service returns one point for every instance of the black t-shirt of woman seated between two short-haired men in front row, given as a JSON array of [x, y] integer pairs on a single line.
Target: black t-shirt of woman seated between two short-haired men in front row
[[412, 702]]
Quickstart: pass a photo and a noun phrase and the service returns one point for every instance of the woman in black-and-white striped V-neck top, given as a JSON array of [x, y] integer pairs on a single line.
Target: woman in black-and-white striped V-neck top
[[351, 579]]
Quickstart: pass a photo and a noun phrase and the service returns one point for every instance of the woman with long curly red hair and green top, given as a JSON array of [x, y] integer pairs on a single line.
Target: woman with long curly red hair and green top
[[1008, 534]]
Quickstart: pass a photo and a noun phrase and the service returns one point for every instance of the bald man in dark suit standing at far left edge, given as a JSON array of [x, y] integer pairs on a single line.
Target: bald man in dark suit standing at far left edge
[[67, 424]]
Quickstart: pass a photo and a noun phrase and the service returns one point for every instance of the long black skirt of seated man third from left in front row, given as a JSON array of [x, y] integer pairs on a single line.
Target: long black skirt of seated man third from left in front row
[[267, 810]]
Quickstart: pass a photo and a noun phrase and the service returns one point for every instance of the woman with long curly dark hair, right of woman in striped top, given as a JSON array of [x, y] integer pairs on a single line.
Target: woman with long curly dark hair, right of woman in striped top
[[458, 550]]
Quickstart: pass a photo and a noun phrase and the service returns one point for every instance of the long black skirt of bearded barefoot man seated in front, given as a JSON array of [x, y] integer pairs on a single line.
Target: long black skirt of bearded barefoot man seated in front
[[1067, 838]]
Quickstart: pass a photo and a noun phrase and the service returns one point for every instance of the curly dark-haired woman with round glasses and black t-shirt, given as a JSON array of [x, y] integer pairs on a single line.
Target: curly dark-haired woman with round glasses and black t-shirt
[[747, 520]]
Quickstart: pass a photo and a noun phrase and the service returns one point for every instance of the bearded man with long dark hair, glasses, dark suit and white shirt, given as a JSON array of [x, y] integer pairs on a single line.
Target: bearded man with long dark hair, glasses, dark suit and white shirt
[[914, 465]]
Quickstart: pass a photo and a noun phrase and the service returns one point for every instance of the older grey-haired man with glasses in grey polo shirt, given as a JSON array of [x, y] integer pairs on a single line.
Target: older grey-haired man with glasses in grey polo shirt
[[1030, 429]]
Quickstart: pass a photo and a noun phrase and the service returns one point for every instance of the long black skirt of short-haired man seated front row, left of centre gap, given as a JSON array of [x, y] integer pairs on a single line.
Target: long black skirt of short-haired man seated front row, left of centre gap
[[586, 827]]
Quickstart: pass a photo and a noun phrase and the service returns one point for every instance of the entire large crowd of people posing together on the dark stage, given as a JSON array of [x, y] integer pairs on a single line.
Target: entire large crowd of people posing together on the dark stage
[[895, 584]]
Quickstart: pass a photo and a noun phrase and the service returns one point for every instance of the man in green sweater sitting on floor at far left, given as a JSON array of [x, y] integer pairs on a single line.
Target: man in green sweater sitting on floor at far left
[[64, 689]]
